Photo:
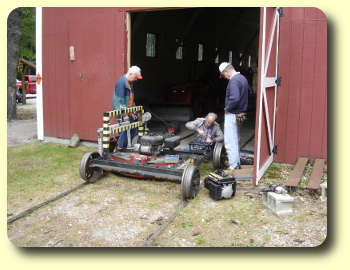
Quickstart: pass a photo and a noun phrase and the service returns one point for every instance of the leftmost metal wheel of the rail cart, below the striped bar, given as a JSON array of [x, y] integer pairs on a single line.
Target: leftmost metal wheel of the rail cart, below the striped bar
[[89, 174]]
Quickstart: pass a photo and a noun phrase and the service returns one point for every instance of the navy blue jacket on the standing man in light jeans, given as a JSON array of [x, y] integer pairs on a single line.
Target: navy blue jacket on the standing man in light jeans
[[237, 93]]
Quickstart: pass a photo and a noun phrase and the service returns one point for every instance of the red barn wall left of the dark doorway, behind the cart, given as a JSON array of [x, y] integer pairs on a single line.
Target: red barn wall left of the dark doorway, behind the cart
[[75, 104]]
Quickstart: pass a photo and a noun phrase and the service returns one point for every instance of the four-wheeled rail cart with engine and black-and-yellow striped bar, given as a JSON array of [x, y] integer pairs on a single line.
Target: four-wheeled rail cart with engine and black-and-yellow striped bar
[[148, 156]]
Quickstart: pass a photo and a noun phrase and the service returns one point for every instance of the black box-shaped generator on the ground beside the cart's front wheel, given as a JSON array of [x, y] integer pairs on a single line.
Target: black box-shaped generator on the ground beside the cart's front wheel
[[220, 185]]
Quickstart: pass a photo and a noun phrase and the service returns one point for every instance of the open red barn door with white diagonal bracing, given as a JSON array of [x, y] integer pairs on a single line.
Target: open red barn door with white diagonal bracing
[[267, 91]]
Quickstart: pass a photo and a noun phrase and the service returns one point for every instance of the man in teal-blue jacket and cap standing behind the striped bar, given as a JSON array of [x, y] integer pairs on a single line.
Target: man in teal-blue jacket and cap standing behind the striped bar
[[123, 97]]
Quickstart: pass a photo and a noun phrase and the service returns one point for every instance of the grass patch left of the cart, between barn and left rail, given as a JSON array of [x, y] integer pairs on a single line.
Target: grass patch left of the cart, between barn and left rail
[[33, 168]]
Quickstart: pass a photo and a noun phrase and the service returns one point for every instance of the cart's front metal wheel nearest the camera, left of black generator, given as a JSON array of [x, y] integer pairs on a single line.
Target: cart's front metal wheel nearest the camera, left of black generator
[[190, 182]]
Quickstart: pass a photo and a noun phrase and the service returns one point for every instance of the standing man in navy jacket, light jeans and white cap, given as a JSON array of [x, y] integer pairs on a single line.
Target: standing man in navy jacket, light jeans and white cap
[[236, 103]]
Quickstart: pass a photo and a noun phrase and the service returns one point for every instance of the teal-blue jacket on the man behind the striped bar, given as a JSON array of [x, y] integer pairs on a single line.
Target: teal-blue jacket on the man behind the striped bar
[[121, 95]]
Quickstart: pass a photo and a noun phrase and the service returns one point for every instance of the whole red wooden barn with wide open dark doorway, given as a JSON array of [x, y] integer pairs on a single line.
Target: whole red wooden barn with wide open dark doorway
[[282, 51]]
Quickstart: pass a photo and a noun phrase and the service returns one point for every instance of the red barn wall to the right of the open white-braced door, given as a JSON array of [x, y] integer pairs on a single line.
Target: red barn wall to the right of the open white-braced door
[[301, 120]]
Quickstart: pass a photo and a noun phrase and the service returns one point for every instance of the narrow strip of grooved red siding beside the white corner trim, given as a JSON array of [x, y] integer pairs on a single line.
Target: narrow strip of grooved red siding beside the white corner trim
[[55, 73]]
